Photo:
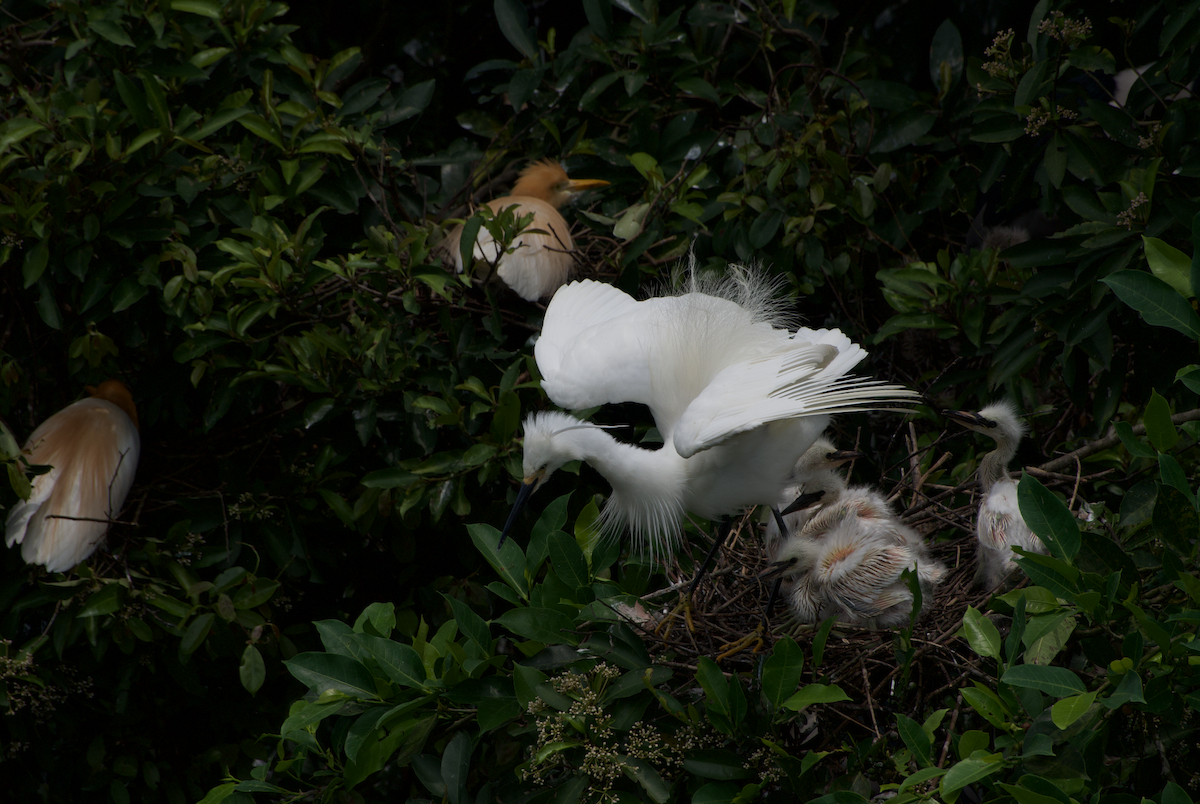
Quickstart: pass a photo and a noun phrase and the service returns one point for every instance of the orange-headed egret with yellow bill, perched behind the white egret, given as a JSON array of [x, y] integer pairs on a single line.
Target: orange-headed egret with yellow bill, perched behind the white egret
[[541, 261]]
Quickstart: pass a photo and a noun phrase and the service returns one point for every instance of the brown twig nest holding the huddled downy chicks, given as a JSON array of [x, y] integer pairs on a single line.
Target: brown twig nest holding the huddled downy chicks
[[883, 671]]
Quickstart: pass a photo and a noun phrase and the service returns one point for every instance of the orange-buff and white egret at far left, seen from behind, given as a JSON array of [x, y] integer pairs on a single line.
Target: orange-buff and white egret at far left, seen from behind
[[92, 448]]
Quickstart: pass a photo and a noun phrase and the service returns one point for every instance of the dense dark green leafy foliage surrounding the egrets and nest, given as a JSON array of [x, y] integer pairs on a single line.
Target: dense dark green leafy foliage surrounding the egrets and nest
[[247, 235]]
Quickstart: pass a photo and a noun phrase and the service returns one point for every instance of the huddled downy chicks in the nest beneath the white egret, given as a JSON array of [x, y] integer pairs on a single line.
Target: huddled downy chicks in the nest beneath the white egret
[[844, 557]]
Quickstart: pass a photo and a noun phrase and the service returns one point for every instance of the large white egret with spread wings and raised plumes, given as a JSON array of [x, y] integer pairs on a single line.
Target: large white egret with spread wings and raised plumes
[[736, 397]]
